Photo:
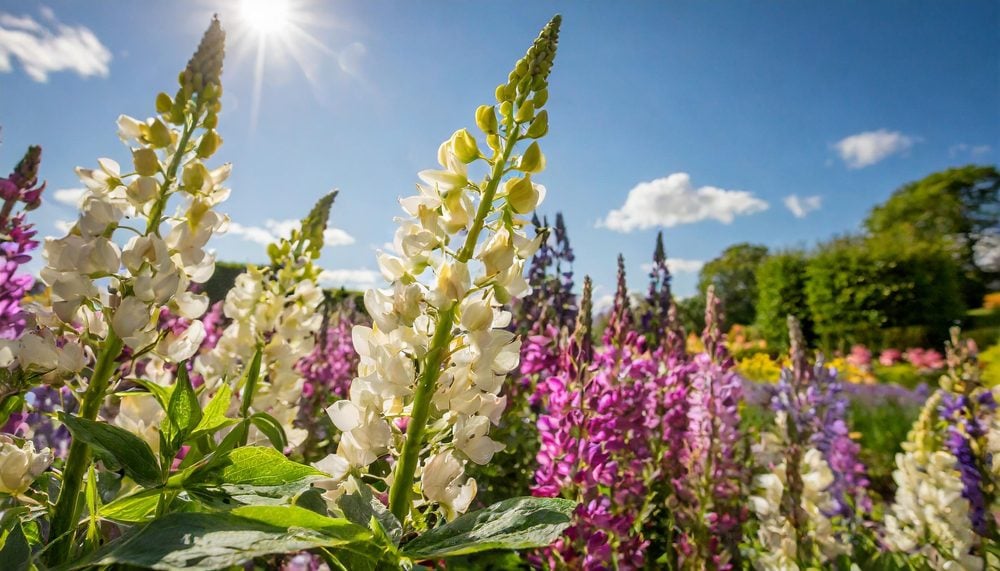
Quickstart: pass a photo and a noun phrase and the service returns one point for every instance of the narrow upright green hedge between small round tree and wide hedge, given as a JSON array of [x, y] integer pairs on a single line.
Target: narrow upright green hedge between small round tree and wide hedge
[[781, 284]]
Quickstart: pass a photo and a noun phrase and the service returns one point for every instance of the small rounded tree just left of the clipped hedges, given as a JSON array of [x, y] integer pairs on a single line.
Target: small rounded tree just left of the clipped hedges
[[734, 275]]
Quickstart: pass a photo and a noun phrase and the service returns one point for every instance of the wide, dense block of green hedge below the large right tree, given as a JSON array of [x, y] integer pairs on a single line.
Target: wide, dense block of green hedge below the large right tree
[[856, 292]]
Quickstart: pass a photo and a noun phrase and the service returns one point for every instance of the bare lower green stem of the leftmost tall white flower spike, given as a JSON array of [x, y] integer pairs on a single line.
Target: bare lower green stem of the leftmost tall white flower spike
[[67, 508]]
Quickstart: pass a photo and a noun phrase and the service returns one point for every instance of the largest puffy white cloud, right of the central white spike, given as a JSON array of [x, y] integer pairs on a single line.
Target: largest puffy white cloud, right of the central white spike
[[674, 200]]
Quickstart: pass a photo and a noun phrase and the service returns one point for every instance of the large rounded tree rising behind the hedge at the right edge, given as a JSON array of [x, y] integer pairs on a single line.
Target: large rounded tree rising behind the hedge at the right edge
[[957, 210]]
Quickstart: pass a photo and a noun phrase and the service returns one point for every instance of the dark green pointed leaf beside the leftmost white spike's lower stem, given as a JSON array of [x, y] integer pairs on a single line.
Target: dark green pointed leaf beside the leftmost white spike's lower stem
[[119, 447]]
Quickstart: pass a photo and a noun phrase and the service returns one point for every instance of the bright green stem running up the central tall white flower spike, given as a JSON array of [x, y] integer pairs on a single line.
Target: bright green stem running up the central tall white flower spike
[[402, 483]]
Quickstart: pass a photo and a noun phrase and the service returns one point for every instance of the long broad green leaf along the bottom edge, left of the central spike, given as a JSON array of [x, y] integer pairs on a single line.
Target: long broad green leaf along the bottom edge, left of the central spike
[[208, 541]]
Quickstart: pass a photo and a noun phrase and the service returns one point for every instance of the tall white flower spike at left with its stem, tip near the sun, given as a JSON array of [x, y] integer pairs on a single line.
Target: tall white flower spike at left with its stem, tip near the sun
[[110, 296]]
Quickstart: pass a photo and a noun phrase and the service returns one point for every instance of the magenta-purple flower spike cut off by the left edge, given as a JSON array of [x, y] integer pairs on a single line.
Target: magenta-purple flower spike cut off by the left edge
[[17, 236]]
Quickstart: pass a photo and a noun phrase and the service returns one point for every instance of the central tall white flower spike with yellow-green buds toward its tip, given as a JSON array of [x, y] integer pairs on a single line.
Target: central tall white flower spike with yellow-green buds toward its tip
[[434, 360]]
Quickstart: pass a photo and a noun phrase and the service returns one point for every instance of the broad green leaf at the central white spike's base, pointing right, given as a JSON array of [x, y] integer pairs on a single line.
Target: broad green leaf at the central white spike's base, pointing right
[[517, 523]]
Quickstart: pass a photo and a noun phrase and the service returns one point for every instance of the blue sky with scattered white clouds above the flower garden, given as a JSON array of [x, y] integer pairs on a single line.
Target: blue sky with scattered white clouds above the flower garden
[[704, 119]]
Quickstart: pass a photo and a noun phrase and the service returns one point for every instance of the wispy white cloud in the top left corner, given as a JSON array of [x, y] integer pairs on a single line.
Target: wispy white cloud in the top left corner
[[49, 47]]
